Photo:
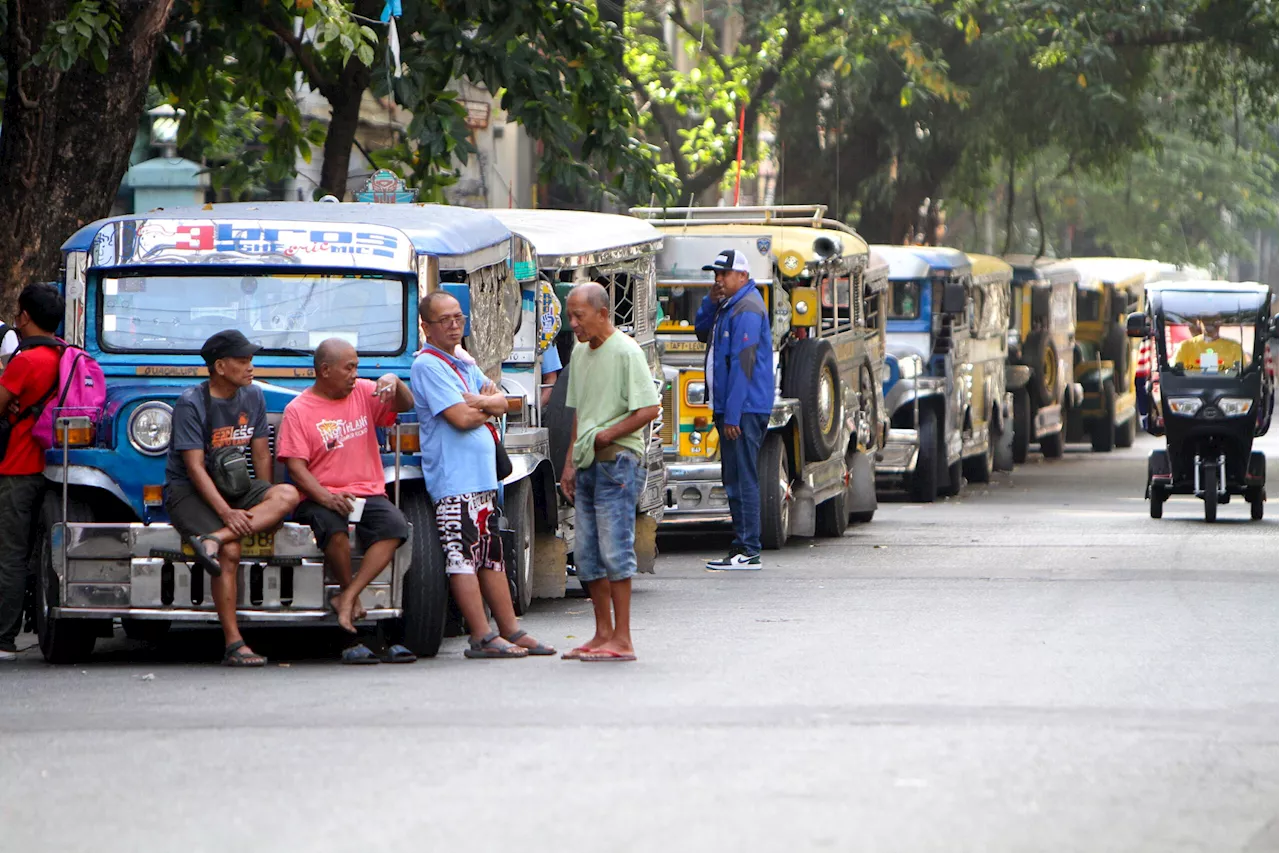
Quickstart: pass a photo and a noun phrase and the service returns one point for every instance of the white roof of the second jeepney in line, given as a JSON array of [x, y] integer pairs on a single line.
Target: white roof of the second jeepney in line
[[569, 239]]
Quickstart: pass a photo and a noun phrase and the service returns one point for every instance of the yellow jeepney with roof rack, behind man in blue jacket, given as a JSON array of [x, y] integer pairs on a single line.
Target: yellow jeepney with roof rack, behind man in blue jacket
[[817, 462]]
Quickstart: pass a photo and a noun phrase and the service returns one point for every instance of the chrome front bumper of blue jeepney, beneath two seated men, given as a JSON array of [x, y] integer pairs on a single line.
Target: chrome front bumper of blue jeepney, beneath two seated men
[[135, 571]]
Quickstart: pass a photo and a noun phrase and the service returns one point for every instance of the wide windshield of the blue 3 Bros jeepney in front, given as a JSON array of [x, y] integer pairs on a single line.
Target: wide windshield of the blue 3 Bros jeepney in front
[[173, 313]]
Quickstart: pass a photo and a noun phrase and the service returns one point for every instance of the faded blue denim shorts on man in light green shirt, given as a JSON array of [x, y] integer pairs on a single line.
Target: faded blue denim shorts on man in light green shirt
[[605, 518]]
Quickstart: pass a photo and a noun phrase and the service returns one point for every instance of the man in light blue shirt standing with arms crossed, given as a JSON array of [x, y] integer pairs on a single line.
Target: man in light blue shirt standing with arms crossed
[[455, 403]]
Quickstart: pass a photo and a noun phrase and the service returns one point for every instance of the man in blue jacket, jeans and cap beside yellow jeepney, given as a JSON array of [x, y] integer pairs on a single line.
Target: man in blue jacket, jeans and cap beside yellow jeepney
[[735, 326]]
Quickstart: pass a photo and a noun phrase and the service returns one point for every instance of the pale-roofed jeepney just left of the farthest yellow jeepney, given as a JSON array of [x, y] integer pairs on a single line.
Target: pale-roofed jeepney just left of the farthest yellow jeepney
[[1043, 339]]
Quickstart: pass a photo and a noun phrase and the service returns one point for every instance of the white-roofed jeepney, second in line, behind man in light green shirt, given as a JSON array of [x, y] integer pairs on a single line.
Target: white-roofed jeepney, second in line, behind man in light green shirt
[[569, 248]]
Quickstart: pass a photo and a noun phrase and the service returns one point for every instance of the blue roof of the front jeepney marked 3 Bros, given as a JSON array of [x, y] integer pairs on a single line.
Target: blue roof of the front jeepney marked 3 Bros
[[432, 230]]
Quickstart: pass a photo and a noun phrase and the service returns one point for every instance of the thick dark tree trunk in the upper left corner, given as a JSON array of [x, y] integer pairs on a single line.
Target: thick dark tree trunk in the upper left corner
[[67, 136]]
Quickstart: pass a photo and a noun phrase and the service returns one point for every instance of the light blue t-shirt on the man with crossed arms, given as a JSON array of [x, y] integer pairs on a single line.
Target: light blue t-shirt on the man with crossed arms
[[455, 462]]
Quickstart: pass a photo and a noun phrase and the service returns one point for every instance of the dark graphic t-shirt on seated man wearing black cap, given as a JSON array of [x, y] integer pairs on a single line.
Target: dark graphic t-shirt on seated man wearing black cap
[[235, 422]]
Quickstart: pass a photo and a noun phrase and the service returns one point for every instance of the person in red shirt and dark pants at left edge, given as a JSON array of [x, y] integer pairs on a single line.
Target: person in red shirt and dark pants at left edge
[[26, 385]]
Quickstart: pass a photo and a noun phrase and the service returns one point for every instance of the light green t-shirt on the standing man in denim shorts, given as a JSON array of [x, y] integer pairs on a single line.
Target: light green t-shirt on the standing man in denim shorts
[[605, 386]]
